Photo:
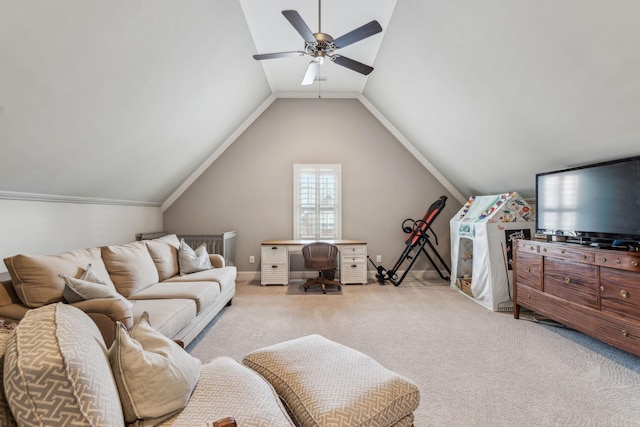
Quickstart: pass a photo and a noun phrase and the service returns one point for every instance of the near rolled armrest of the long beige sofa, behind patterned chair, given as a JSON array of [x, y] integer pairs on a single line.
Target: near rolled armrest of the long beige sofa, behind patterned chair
[[105, 312]]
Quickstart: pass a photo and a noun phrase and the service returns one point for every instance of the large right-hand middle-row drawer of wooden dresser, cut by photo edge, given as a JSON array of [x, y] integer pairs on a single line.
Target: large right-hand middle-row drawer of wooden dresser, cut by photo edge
[[620, 292]]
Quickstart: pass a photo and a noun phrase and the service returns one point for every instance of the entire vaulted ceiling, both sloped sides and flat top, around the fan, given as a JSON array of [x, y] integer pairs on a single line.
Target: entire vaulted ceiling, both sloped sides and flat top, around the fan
[[124, 100]]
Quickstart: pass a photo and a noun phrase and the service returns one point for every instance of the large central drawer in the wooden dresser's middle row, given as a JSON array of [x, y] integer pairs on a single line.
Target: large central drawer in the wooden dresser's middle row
[[571, 281]]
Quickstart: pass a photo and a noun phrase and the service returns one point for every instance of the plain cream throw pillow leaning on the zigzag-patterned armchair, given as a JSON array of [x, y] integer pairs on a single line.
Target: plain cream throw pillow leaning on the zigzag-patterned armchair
[[154, 375]]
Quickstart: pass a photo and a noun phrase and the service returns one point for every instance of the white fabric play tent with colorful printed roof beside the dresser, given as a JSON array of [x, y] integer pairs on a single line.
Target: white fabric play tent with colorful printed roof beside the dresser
[[482, 234]]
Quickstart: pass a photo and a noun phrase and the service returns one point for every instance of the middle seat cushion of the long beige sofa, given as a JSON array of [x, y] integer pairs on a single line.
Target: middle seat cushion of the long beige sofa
[[203, 293]]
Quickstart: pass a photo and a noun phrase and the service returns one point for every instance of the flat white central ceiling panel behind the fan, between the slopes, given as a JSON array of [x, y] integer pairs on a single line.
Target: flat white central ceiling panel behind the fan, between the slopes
[[271, 33]]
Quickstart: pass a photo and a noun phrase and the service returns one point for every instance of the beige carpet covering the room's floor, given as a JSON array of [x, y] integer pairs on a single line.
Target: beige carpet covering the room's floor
[[473, 367]]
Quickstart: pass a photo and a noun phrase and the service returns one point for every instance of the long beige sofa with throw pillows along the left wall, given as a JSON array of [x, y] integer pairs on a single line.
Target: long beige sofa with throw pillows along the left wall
[[180, 288]]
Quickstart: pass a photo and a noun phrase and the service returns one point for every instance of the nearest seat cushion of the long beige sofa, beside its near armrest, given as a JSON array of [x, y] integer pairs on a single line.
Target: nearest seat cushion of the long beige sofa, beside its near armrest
[[168, 316]]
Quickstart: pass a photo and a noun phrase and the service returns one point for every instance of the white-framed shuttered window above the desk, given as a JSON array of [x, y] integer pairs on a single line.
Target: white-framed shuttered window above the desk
[[317, 202]]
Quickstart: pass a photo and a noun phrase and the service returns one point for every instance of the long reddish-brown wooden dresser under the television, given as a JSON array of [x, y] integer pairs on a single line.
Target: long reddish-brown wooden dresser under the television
[[594, 291]]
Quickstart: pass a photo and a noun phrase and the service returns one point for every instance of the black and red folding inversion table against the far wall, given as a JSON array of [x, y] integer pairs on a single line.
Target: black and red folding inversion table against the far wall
[[415, 244]]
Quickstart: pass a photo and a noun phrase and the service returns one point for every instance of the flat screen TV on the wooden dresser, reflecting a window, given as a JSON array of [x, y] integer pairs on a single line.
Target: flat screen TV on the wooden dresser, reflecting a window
[[595, 204]]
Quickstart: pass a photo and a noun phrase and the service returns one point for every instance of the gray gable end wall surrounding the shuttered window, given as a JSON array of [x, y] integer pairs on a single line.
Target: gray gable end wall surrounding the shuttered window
[[249, 188]]
